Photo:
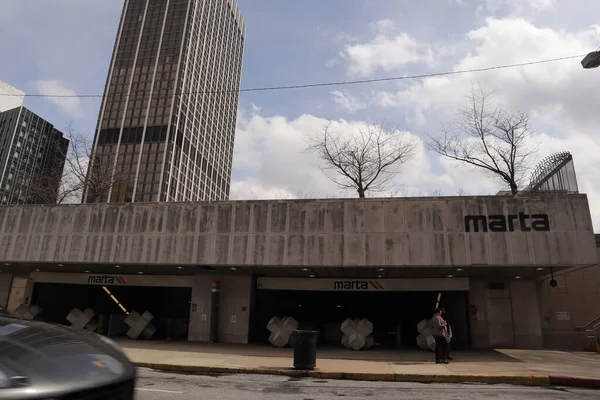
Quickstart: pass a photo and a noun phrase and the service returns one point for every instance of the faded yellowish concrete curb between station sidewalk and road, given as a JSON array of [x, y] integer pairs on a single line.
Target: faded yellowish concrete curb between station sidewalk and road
[[518, 380]]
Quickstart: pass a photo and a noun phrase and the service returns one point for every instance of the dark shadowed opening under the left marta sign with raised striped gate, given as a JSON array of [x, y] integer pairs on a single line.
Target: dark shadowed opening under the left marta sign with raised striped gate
[[169, 305]]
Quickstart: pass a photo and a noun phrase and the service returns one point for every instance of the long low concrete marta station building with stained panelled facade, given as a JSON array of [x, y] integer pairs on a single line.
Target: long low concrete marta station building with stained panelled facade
[[320, 261]]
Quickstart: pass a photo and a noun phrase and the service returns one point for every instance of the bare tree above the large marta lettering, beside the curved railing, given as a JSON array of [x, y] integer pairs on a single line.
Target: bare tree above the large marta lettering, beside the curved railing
[[489, 137]]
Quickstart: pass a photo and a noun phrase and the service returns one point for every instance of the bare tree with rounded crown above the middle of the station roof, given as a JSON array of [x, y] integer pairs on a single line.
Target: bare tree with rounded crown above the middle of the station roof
[[366, 161]]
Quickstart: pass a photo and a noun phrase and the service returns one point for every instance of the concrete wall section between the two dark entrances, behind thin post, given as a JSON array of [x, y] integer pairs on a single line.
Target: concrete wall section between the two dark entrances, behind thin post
[[234, 308]]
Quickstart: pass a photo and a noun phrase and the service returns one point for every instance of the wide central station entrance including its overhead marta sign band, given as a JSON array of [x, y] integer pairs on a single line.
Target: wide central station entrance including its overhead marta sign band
[[394, 306]]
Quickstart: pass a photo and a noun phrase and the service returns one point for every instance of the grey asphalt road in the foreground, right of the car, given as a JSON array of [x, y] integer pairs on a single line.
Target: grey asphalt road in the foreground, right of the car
[[154, 385]]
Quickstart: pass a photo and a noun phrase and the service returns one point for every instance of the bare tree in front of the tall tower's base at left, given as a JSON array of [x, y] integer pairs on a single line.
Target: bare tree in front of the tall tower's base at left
[[75, 179]]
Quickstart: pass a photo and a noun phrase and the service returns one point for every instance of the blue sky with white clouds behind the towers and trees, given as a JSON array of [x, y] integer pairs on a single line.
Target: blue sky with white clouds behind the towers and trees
[[64, 47]]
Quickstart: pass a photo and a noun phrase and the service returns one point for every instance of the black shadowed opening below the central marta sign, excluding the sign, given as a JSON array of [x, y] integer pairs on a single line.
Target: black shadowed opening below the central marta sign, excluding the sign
[[394, 315]]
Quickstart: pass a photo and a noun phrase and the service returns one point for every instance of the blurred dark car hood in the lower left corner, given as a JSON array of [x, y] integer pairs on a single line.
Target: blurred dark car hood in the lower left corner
[[49, 356]]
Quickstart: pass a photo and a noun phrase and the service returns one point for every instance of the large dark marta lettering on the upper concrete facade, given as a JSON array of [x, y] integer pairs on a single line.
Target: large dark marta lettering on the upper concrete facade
[[509, 223]]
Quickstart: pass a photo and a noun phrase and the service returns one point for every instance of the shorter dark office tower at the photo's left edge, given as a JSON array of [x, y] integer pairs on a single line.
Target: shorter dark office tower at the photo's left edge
[[32, 158]]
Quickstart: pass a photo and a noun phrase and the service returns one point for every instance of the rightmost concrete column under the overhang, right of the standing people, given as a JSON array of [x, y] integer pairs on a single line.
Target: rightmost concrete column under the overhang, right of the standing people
[[526, 315]]
